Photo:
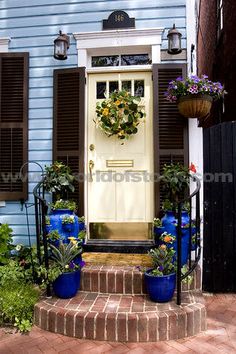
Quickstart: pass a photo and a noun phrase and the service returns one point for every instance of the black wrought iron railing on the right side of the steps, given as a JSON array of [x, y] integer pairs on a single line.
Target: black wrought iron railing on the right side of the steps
[[194, 202]]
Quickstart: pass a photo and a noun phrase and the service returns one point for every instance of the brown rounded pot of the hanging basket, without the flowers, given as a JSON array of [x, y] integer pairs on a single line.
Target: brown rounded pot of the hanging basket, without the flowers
[[195, 106]]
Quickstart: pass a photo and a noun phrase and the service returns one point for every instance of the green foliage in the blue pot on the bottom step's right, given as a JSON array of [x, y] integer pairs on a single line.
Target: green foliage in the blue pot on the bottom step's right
[[163, 260]]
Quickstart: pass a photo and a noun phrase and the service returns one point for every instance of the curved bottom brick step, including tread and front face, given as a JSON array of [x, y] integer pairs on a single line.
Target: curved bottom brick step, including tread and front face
[[123, 318]]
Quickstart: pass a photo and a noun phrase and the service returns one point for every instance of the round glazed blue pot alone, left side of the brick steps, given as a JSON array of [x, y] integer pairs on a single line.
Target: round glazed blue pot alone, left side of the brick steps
[[66, 285]]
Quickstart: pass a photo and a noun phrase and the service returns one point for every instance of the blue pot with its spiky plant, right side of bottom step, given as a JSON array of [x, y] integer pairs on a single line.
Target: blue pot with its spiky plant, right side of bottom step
[[161, 278]]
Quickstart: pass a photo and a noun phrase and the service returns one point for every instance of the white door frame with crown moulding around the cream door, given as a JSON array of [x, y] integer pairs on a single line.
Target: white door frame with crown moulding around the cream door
[[128, 41]]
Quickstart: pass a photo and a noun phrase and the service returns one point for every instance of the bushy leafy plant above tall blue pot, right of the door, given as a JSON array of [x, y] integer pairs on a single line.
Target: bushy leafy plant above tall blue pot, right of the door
[[175, 180]]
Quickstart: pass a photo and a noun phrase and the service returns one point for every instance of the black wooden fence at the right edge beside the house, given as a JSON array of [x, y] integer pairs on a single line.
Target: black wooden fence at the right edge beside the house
[[219, 251]]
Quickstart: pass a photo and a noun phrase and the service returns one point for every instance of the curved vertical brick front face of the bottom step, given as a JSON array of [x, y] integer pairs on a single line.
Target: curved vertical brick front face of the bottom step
[[123, 327]]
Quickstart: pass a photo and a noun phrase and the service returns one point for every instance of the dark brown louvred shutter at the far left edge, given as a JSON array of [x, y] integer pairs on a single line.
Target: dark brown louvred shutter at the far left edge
[[14, 69]]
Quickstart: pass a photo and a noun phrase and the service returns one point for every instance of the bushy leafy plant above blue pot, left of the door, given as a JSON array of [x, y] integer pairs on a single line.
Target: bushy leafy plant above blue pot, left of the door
[[58, 179]]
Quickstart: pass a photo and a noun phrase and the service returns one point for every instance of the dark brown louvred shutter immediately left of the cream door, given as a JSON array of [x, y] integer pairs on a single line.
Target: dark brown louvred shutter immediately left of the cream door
[[68, 128]]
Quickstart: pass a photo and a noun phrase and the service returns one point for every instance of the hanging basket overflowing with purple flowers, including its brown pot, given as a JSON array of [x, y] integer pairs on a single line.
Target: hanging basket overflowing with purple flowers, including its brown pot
[[194, 95]]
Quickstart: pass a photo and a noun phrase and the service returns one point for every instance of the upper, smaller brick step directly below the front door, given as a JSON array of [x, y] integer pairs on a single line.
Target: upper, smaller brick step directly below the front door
[[123, 280]]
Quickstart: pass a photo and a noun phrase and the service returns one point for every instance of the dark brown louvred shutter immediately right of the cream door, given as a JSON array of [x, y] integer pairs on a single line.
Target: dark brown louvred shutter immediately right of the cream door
[[170, 128]]
